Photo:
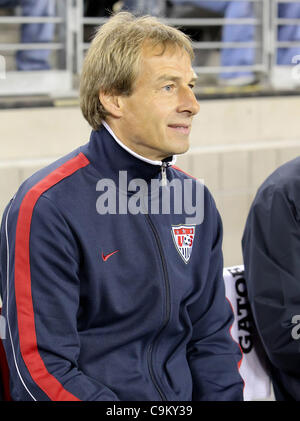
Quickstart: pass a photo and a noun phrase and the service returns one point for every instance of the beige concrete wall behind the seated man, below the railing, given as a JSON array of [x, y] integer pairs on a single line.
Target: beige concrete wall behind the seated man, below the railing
[[235, 145]]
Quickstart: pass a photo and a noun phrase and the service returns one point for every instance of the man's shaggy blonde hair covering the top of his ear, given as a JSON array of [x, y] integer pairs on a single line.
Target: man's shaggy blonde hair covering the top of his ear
[[112, 61]]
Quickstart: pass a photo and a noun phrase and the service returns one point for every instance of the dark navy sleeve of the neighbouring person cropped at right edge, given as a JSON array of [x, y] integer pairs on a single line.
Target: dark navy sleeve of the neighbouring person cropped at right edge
[[271, 250]]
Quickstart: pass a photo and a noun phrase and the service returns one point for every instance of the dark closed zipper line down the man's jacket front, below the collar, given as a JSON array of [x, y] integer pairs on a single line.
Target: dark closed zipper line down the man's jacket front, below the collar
[[168, 309]]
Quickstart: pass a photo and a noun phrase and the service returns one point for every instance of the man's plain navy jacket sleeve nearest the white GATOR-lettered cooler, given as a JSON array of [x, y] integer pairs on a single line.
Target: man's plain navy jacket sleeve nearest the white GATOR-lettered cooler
[[214, 357]]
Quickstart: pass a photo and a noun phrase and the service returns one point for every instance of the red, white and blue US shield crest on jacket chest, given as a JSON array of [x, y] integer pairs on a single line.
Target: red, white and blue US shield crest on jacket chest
[[183, 236]]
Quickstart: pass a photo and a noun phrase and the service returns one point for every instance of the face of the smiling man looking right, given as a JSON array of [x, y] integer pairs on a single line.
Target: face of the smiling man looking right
[[156, 118]]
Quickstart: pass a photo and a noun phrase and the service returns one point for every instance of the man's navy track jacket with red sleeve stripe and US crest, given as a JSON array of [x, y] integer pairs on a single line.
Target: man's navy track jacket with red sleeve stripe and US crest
[[105, 306]]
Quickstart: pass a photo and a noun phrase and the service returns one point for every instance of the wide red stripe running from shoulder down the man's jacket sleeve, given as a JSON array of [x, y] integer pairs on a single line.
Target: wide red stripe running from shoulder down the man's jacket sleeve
[[27, 334]]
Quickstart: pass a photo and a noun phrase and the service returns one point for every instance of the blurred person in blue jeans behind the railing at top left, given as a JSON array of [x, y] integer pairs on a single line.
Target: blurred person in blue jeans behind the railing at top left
[[34, 32]]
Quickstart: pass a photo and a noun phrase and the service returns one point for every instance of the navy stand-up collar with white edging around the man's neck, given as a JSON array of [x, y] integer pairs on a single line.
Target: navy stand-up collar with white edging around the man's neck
[[109, 156]]
